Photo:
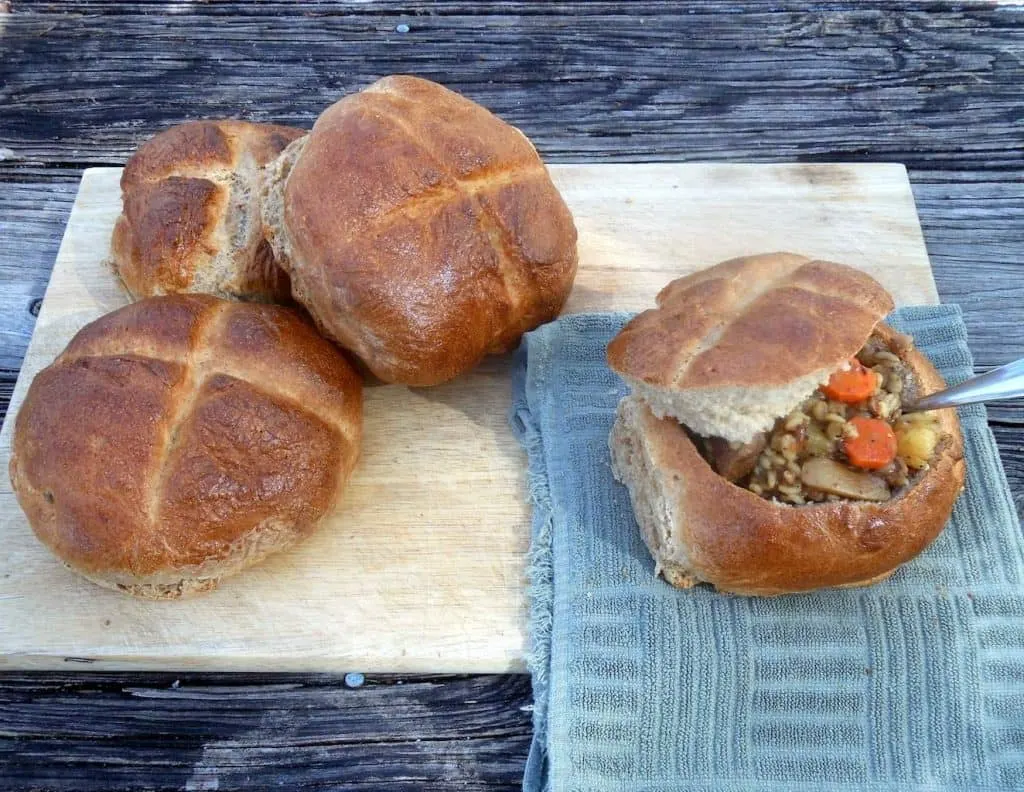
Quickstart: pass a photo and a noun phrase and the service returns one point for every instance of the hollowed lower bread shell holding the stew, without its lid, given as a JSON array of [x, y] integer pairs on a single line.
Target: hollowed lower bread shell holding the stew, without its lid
[[743, 544]]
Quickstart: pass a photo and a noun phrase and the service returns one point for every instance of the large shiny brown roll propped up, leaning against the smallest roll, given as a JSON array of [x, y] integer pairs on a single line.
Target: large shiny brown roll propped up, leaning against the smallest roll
[[420, 231]]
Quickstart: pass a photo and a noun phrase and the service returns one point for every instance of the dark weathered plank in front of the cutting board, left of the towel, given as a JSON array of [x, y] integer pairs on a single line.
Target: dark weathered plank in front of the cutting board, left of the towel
[[228, 732]]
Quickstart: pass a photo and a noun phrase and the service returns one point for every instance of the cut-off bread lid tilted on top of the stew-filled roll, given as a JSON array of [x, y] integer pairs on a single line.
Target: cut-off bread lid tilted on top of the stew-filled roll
[[732, 349]]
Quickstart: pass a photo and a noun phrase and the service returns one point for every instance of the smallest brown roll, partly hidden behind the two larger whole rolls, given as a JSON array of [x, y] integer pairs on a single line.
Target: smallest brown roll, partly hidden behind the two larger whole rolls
[[191, 221]]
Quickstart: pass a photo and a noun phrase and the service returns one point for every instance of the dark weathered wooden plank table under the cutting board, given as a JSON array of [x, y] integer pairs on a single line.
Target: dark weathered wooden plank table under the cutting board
[[936, 87]]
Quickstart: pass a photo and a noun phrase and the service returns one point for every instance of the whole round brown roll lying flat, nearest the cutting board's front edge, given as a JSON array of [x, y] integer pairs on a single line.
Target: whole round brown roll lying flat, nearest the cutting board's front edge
[[183, 439]]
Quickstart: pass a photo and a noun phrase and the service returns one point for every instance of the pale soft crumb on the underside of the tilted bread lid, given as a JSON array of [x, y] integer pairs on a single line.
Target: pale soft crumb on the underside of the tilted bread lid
[[735, 413]]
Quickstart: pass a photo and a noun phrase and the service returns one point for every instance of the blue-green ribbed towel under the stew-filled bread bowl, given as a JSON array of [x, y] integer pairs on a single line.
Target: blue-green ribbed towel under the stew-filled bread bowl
[[916, 684]]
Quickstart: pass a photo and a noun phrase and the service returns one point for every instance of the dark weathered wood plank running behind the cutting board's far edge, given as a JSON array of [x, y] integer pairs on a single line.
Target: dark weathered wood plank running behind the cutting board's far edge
[[839, 84]]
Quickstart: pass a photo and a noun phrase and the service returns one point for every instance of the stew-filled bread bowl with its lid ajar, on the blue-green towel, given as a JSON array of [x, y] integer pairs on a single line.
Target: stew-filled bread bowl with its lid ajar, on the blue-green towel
[[839, 489]]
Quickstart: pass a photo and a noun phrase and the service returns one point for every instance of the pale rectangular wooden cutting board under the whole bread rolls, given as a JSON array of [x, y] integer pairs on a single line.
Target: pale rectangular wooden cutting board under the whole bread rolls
[[422, 569]]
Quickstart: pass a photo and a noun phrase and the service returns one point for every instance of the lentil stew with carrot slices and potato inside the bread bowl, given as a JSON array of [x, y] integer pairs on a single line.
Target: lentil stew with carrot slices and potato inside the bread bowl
[[849, 441]]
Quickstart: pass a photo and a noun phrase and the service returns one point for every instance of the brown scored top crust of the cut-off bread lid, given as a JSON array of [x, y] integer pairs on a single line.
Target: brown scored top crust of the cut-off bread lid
[[755, 321]]
